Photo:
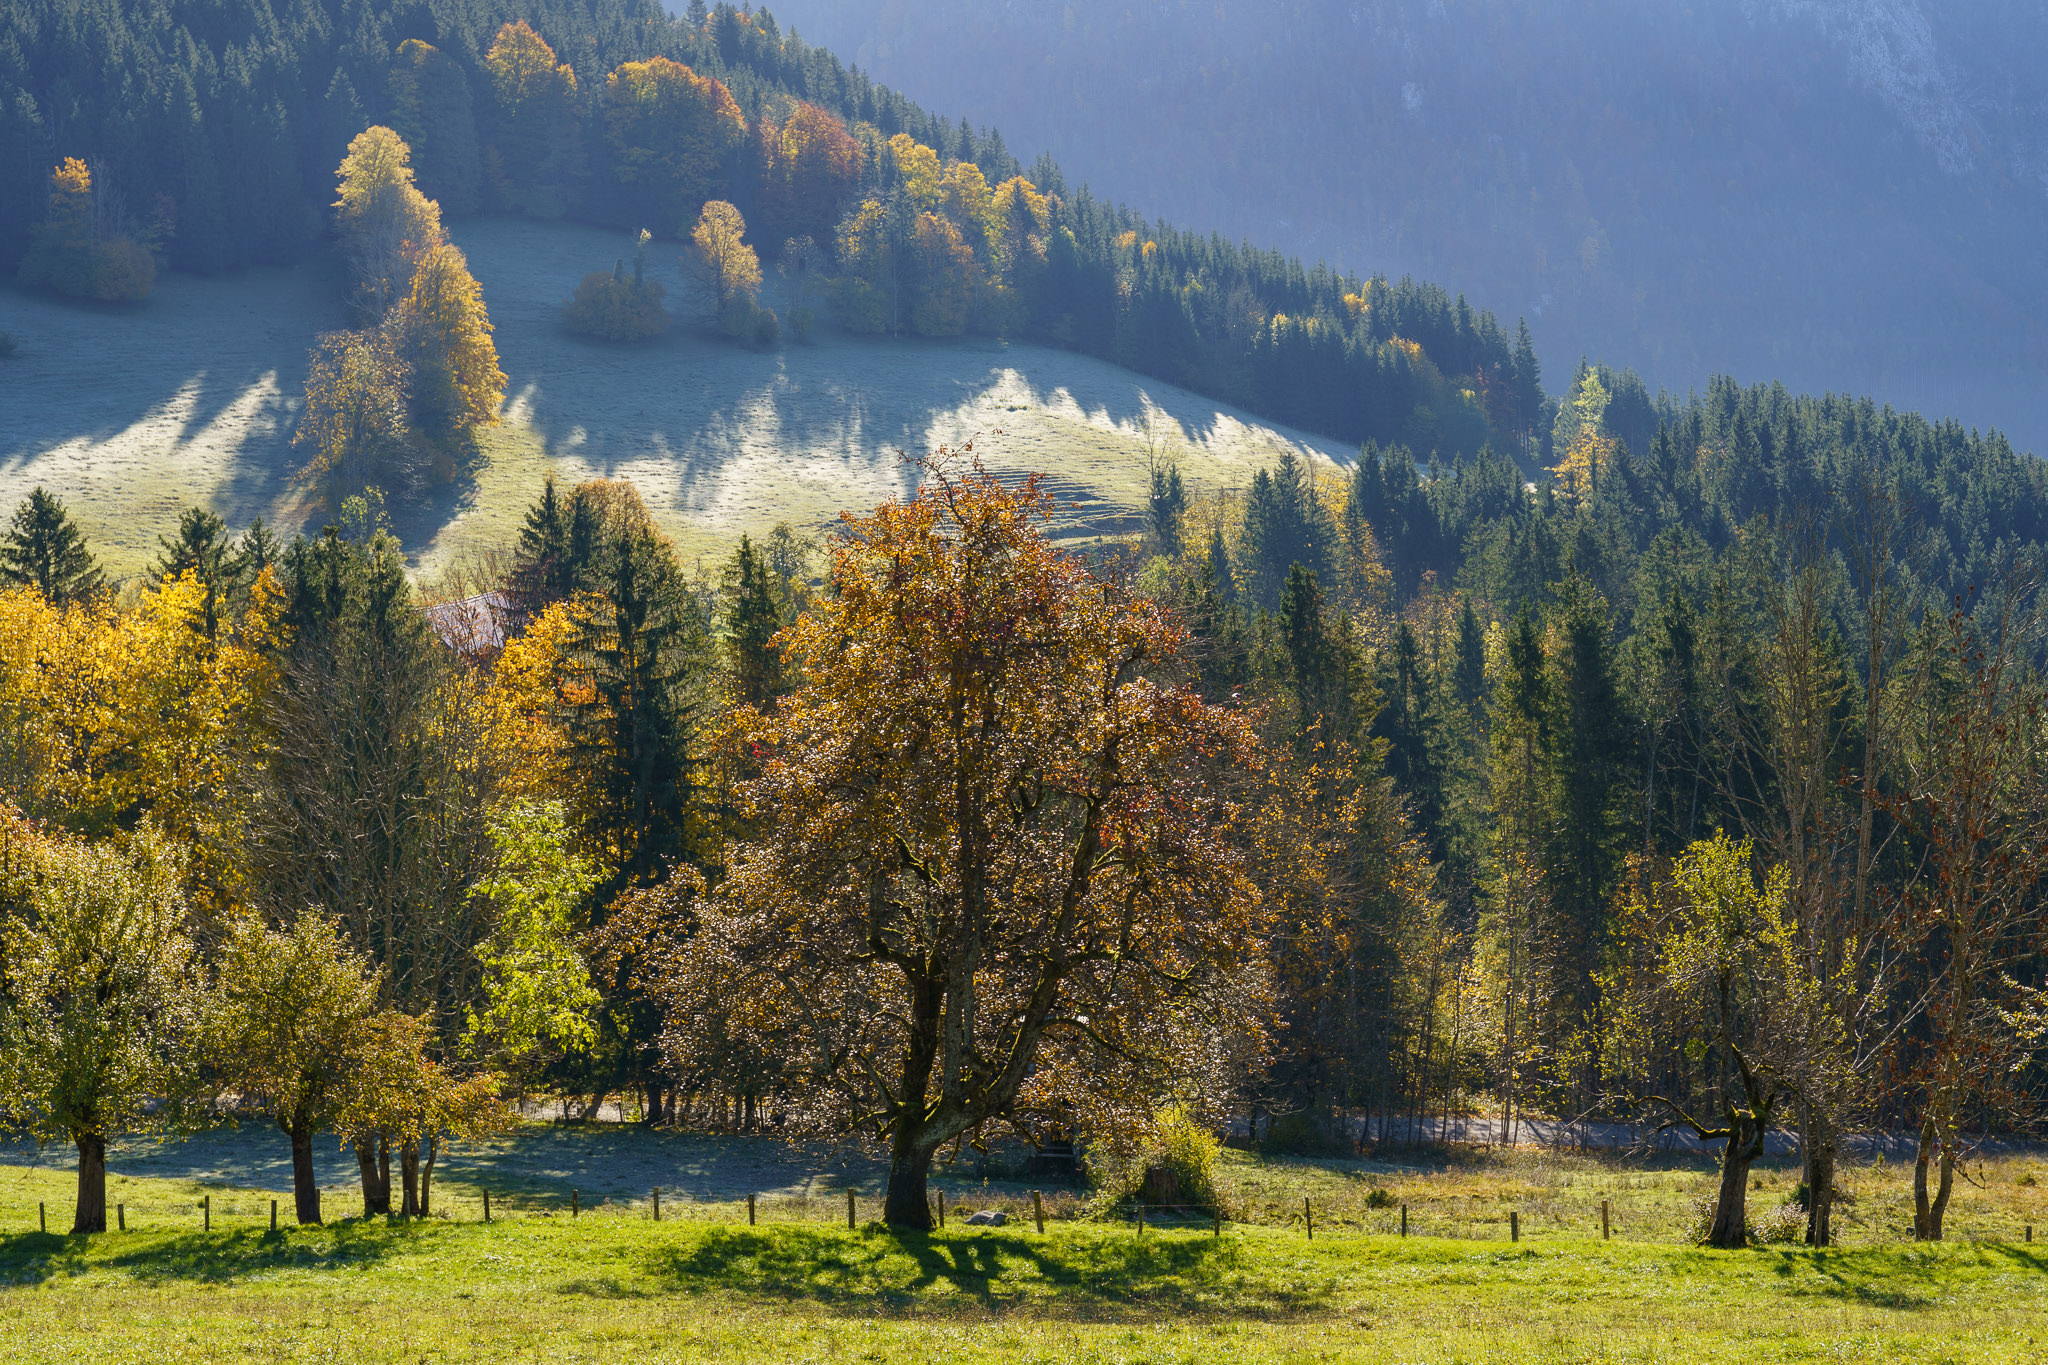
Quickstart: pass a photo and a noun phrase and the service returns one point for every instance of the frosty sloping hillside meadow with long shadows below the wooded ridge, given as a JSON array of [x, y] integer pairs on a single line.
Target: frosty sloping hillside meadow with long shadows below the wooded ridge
[[132, 414]]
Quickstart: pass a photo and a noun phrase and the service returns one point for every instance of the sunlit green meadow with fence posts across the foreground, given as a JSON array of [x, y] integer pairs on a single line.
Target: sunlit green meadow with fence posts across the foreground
[[701, 1286]]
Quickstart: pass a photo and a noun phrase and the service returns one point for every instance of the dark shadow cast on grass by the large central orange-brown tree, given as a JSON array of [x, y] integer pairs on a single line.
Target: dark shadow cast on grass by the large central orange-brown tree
[[898, 1272]]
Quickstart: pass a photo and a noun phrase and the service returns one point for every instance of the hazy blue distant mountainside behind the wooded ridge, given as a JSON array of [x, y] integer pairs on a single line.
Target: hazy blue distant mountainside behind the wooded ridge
[[1842, 195]]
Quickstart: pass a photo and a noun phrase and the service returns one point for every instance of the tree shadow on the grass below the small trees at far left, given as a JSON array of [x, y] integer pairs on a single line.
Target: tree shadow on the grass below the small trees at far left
[[204, 1258]]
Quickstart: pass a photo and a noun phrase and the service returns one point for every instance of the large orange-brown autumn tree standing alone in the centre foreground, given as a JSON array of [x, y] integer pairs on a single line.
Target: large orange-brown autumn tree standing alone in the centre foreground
[[996, 881]]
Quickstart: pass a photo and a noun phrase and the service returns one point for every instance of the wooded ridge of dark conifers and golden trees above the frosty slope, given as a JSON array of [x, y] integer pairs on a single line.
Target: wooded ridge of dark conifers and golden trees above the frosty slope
[[218, 130]]
